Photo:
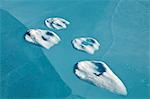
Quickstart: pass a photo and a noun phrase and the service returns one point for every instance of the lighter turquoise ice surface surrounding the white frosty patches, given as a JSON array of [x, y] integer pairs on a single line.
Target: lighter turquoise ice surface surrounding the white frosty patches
[[120, 25]]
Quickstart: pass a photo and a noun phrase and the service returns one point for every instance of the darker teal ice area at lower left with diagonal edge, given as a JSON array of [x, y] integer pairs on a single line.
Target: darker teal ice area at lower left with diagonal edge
[[25, 71]]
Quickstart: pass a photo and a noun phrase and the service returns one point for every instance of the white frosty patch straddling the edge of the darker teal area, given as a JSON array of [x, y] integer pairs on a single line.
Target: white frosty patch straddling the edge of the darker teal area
[[44, 38]]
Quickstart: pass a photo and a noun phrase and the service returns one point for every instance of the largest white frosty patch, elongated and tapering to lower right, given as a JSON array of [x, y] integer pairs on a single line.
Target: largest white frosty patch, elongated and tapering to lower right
[[99, 74]]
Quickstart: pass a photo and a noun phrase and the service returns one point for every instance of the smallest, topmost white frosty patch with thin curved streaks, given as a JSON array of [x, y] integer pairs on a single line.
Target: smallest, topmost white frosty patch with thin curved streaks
[[56, 23]]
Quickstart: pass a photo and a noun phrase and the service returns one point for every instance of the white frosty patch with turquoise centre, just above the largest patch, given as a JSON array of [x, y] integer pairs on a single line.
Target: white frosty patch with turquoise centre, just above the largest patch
[[89, 45]]
